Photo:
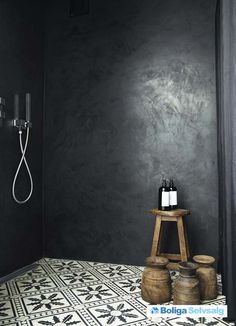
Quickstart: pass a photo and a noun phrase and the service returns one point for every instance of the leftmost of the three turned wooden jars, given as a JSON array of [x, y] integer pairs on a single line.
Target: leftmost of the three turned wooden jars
[[156, 281]]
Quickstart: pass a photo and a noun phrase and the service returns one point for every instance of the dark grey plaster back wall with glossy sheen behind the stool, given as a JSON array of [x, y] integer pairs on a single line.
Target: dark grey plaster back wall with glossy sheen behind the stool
[[130, 96]]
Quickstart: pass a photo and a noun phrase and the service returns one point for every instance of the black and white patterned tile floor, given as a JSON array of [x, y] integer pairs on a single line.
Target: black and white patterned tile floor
[[65, 292]]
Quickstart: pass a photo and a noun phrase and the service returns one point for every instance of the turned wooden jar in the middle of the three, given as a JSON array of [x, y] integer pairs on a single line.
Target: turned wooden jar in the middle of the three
[[186, 286]]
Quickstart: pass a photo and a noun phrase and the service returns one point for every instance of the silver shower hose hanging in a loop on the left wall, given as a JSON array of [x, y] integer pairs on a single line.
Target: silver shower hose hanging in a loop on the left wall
[[23, 159]]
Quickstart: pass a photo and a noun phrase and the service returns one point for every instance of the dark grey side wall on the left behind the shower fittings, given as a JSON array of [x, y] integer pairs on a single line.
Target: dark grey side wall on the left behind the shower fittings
[[21, 71]]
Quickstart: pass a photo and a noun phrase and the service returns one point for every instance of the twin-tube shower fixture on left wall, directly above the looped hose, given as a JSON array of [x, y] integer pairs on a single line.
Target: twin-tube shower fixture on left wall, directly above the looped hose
[[21, 123]]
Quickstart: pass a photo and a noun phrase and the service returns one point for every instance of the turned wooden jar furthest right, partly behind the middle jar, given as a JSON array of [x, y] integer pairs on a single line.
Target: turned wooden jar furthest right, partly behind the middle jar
[[207, 276]]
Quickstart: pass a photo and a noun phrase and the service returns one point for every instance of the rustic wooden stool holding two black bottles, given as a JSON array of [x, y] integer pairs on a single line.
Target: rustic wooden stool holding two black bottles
[[170, 216]]
